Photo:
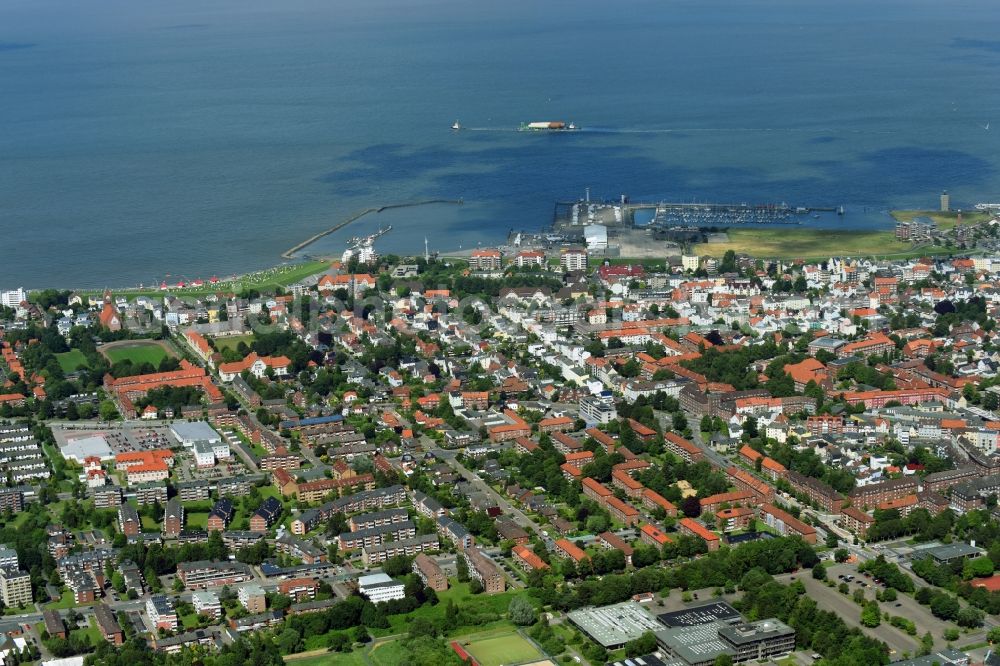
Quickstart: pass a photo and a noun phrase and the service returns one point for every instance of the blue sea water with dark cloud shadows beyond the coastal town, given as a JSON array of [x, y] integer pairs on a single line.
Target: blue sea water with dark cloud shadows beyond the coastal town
[[198, 137]]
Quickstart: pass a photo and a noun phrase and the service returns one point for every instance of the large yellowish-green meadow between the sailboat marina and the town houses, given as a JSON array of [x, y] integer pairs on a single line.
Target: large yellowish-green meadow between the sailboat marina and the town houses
[[807, 243]]
